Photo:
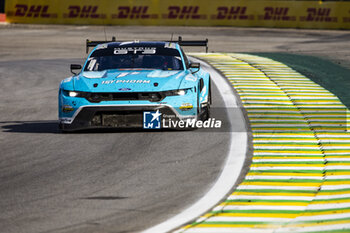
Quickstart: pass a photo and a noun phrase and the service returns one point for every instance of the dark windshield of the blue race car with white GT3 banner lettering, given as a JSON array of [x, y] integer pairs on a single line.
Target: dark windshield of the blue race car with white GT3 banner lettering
[[134, 58]]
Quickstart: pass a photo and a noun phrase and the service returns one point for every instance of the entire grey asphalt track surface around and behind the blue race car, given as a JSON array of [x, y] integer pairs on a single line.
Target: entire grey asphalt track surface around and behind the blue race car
[[109, 181]]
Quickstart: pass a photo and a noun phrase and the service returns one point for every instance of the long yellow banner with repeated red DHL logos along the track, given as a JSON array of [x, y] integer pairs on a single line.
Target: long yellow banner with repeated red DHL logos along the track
[[258, 13]]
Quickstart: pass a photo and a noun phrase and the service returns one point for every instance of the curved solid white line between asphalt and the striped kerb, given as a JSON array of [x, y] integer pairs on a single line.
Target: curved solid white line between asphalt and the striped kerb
[[232, 168]]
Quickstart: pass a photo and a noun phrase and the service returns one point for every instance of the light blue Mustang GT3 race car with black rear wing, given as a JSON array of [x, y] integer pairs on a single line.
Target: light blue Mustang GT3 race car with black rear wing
[[146, 84]]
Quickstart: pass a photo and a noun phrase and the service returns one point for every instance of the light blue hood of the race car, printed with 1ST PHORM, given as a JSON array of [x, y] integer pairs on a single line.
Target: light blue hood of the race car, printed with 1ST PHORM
[[133, 81]]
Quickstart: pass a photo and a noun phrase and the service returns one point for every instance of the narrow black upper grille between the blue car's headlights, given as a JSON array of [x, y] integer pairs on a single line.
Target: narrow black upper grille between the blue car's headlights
[[150, 96]]
